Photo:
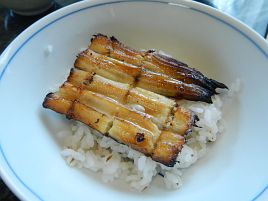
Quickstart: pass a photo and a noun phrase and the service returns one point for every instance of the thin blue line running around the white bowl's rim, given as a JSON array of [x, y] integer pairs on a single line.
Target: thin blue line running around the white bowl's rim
[[98, 5]]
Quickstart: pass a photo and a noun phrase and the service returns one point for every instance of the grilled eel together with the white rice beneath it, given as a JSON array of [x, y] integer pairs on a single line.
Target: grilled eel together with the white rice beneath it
[[136, 115]]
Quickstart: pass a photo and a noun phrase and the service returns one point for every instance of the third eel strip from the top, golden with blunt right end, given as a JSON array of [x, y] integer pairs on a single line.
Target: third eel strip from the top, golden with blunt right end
[[164, 112]]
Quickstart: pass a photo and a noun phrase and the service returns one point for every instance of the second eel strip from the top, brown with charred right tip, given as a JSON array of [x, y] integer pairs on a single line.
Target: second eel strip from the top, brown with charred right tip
[[140, 77]]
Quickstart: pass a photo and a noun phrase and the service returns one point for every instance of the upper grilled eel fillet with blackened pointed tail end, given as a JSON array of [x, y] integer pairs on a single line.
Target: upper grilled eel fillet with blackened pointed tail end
[[158, 73]]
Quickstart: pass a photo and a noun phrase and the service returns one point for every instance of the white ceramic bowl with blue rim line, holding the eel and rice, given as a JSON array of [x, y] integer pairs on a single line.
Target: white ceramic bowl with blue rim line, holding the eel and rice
[[30, 163]]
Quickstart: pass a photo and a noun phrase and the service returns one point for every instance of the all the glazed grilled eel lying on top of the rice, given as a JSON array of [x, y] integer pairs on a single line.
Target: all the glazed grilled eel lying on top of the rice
[[108, 82]]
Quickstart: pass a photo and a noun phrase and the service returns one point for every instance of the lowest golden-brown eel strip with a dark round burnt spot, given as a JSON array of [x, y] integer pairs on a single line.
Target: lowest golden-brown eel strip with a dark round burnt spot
[[119, 122]]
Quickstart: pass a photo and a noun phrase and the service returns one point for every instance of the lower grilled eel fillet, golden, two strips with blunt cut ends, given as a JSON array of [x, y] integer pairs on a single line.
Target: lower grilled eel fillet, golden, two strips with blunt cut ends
[[106, 106]]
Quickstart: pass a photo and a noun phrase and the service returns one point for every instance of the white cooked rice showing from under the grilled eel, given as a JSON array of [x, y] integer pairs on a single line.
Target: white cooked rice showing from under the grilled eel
[[86, 148]]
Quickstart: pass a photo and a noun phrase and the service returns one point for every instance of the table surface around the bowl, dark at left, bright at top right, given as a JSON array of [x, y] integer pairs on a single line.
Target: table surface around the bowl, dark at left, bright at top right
[[252, 13]]
